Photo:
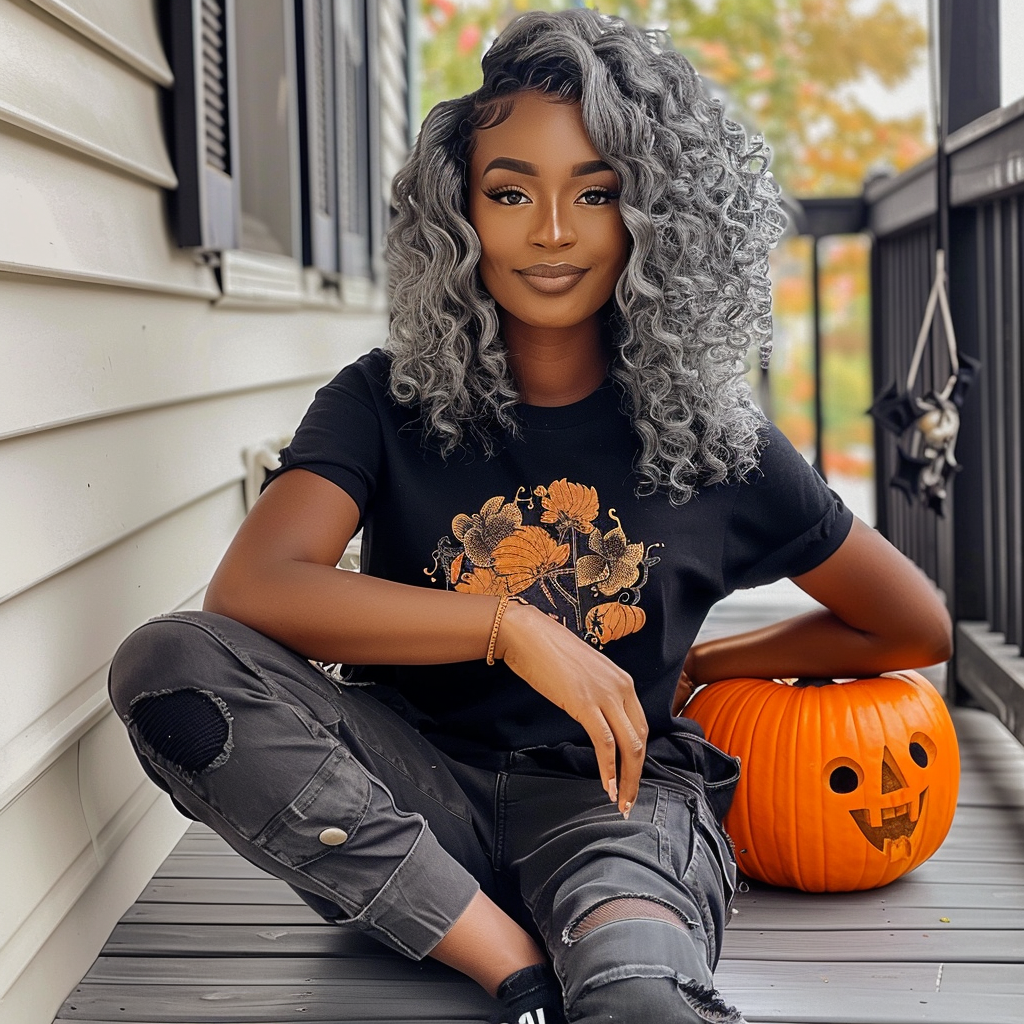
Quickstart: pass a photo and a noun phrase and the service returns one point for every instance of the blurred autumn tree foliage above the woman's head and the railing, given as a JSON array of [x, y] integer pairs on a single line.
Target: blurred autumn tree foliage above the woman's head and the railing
[[787, 67]]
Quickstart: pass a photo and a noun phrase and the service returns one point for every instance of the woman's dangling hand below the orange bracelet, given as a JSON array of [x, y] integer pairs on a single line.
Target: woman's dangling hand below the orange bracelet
[[588, 687]]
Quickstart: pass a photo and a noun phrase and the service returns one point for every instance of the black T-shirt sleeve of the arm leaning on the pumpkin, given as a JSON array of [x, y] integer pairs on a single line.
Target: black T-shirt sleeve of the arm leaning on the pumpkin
[[785, 522]]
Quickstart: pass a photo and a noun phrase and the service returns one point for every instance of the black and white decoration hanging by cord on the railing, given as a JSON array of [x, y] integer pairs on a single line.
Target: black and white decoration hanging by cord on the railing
[[927, 426]]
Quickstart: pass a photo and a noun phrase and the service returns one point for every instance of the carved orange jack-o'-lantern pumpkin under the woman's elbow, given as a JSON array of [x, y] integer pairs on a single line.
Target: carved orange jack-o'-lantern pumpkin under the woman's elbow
[[844, 786]]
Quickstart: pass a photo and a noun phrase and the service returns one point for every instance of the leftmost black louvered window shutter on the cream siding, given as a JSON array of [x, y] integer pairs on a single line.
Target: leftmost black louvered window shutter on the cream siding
[[205, 206]]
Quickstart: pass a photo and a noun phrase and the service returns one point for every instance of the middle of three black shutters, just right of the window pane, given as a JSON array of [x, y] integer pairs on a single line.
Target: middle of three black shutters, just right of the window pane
[[315, 24]]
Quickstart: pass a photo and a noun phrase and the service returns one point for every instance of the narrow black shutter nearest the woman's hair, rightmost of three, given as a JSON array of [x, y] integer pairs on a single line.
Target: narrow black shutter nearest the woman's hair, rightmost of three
[[355, 198]]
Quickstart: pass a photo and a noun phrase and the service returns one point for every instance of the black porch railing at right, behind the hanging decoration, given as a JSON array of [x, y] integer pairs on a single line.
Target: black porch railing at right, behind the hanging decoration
[[975, 553]]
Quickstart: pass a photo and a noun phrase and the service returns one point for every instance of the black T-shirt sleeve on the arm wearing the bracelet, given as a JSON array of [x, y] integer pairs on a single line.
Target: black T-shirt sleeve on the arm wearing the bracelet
[[340, 437]]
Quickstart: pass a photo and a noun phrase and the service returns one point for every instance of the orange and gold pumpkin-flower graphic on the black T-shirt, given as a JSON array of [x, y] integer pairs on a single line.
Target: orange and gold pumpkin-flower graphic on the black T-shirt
[[550, 547]]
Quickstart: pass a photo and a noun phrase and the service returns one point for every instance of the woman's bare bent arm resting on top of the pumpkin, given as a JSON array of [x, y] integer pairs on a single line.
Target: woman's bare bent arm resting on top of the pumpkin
[[881, 614]]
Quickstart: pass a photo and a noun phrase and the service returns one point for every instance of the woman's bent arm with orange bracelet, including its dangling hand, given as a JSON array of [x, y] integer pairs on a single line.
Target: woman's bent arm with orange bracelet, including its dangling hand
[[279, 577]]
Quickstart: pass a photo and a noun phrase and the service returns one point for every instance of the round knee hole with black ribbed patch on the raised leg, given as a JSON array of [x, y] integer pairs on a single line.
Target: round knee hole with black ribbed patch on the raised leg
[[189, 728]]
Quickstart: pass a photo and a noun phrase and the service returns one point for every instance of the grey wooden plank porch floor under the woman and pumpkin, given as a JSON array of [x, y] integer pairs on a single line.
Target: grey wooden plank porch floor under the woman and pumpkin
[[214, 940]]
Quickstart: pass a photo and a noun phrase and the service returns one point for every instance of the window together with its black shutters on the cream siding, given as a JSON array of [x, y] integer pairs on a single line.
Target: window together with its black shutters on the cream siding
[[276, 121]]
